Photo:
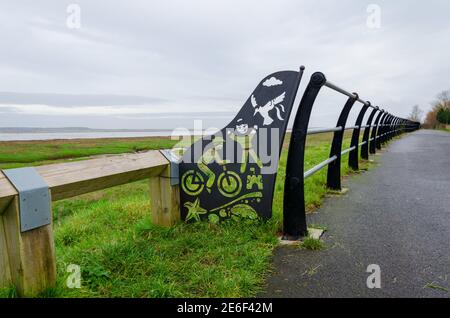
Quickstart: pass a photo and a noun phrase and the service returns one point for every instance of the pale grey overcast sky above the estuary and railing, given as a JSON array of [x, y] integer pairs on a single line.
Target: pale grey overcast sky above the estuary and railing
[[162, 64]]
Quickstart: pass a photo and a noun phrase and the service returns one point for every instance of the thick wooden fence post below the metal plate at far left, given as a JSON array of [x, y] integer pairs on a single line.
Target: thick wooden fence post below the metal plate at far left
[[27, 258]]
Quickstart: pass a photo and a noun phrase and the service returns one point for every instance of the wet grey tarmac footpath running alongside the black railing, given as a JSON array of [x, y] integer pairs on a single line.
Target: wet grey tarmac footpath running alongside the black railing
[[396, 215]]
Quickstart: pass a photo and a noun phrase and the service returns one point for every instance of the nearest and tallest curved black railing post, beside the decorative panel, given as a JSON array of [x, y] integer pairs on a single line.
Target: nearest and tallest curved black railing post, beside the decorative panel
[[294, 218]]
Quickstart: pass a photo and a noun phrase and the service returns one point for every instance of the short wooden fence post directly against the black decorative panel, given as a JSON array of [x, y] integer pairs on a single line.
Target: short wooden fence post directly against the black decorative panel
[[165, 199]]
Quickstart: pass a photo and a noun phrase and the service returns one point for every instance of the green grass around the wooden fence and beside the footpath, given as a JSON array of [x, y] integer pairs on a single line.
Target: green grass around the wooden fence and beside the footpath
[[122, 254]]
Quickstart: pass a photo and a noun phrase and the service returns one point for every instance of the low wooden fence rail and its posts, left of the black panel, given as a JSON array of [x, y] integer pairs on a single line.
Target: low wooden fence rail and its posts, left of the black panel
[[27, 259]]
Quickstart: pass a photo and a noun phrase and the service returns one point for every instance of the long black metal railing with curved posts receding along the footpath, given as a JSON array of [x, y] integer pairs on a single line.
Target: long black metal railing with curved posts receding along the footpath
[[381, 126]]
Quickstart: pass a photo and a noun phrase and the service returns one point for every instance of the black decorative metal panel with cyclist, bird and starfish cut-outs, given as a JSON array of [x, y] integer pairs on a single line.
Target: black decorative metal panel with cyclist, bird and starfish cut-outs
[[232, 173]]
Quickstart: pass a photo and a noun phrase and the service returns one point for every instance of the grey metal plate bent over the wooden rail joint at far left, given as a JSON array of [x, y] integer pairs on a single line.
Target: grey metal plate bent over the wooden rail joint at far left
[[34, 197]]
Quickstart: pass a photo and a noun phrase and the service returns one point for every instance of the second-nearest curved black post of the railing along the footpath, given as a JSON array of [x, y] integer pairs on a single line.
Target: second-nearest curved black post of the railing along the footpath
[[334, 168]]
